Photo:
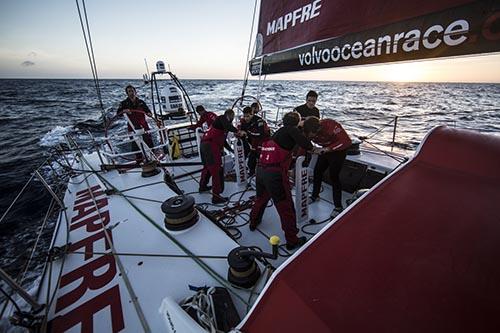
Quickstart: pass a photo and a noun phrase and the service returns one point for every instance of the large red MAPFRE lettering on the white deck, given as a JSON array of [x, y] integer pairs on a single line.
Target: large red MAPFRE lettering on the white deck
[[95, 274]]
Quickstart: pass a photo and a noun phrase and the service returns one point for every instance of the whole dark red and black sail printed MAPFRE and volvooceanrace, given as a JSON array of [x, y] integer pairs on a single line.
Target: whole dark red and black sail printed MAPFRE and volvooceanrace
[[301, 35]]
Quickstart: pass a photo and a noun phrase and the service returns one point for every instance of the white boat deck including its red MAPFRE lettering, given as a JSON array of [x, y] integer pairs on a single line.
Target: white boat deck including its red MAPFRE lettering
[[151, 263]]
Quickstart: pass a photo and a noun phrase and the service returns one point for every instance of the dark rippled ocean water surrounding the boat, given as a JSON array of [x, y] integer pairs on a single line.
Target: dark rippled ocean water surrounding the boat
[[35, 114]]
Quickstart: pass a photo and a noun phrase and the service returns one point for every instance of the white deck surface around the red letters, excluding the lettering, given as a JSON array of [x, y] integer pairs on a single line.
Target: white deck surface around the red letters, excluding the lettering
[[154, 278]]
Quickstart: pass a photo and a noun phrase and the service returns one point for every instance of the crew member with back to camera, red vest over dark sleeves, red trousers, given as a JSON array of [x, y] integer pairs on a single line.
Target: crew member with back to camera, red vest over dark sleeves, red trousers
[[272, 175]]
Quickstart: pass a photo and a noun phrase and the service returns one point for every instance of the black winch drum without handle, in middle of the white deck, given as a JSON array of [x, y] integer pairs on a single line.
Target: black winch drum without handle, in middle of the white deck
[[180, 212]]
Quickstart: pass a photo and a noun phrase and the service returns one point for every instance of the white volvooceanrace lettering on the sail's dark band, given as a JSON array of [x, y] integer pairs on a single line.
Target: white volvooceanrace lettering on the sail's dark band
[[452, 35]]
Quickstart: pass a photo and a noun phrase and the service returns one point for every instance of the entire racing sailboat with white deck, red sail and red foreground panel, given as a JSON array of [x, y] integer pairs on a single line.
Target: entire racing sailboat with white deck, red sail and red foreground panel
[[137, 247]]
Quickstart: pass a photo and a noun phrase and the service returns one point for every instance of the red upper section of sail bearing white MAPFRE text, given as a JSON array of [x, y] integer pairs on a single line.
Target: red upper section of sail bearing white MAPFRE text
[[298, 22]]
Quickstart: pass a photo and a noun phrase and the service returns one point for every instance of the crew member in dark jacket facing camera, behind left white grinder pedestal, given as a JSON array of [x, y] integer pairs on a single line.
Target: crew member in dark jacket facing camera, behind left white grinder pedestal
[[257, 132]]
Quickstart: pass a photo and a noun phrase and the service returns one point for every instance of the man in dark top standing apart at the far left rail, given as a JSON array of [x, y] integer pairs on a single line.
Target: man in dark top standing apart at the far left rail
[[136, 110]]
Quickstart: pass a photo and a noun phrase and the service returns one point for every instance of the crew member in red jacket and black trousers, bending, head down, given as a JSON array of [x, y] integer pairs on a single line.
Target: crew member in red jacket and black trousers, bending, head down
[[335, 142]]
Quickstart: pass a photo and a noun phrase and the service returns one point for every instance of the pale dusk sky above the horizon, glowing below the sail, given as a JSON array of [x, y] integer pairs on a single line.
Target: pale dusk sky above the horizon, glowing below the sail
[[198, 39]]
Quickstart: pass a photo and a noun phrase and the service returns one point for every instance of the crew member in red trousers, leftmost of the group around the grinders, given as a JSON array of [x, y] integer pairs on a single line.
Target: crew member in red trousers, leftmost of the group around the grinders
[[211, 146]]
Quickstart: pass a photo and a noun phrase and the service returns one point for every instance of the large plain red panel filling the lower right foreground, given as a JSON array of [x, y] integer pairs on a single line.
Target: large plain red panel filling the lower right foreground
[[419, 253]]
